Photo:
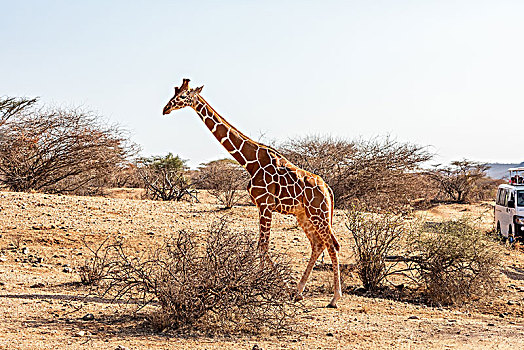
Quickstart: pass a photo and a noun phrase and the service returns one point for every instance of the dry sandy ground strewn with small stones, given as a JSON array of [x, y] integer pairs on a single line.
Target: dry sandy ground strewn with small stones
[[40, 306]]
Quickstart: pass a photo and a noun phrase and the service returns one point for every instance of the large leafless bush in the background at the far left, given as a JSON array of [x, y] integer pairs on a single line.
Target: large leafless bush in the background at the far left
[[58, 150]]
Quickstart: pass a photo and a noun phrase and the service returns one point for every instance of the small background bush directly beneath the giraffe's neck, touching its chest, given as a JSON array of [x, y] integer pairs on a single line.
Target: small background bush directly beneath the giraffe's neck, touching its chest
[[225, 179]]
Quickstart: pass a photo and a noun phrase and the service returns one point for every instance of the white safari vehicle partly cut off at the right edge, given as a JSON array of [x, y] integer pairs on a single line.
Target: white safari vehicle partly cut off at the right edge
[[509, 207]]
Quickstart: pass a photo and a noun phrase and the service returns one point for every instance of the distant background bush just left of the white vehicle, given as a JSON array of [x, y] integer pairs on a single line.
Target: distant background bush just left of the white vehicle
[[463, 180]]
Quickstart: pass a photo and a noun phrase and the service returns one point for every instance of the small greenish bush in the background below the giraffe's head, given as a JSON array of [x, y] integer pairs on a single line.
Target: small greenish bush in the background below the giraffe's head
[[165, 178]]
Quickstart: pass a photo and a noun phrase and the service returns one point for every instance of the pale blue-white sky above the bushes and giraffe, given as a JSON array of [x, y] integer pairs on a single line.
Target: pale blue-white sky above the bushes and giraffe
[[447, 74]]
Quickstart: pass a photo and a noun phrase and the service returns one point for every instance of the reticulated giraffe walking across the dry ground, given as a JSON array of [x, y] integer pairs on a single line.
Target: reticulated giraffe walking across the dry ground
[[275, 185]]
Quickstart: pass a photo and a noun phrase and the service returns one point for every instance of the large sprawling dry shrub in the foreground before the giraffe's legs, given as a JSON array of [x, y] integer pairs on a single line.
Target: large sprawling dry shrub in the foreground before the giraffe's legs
[[213, 281]]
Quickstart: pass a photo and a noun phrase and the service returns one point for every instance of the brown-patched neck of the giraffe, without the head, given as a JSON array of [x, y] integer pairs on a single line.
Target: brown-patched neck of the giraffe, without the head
[[242, 148]]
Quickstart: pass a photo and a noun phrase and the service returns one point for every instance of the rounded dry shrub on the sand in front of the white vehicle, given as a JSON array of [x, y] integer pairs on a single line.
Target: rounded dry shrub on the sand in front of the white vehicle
[[455, 261]]
